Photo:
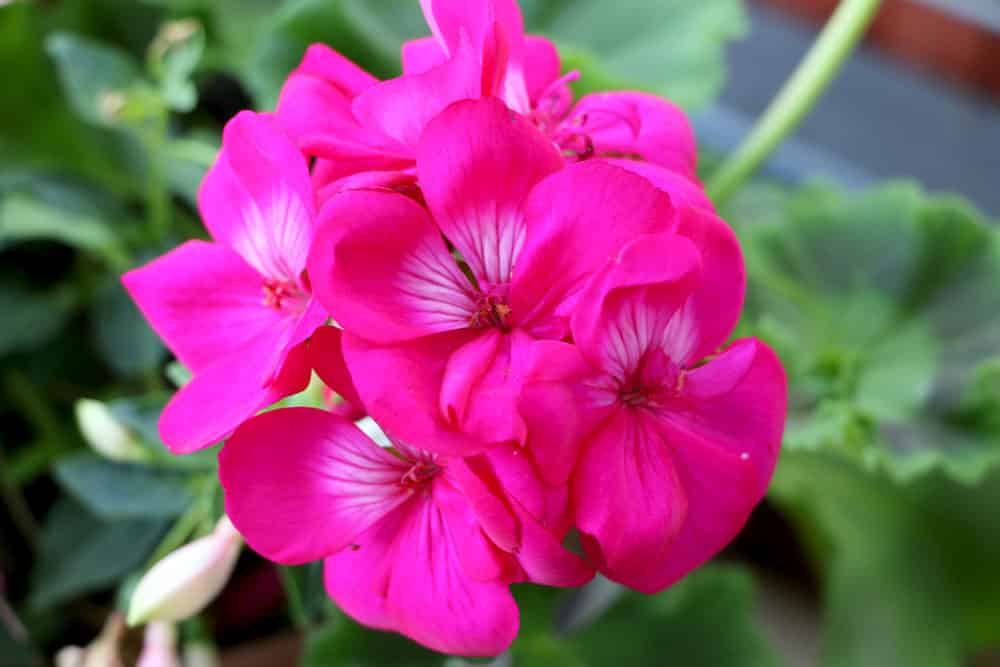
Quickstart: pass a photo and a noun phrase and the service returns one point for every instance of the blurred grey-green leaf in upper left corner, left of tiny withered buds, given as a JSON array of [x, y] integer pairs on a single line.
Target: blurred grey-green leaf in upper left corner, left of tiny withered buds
[[90, 71]]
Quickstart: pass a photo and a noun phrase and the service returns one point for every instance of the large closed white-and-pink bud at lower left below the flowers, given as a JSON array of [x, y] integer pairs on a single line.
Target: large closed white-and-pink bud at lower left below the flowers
[[185, 581]]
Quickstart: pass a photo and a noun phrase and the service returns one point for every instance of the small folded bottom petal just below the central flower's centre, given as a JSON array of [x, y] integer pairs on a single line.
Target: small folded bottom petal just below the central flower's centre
[[480, 386]]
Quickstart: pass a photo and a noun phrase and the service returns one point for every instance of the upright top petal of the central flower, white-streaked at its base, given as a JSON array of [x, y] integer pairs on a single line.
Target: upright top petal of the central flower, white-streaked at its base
[[477, 162]]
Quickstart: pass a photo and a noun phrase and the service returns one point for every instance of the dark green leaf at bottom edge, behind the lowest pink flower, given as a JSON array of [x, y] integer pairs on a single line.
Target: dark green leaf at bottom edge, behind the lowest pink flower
[[704, 620]]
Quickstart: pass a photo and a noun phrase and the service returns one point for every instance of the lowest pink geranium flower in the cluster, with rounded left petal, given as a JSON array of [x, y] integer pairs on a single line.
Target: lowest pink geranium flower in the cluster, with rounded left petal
[[413, 542]]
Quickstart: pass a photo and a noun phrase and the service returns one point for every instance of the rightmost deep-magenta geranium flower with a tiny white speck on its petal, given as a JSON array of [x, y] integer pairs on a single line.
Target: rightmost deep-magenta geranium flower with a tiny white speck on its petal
[[674, 443]]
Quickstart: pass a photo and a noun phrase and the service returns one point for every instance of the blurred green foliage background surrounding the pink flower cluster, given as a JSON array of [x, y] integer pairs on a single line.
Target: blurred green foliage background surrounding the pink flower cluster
[[874, 266]]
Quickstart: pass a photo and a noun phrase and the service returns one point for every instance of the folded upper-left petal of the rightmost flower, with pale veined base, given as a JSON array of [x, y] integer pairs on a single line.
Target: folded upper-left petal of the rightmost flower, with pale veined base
[[629, 306]]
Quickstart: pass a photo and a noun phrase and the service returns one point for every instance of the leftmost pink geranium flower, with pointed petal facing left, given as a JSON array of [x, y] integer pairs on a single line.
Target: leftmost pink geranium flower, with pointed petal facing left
[[237, 310]]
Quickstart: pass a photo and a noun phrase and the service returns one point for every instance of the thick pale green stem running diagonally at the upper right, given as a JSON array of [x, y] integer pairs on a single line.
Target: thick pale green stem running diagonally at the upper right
[[797, 97]]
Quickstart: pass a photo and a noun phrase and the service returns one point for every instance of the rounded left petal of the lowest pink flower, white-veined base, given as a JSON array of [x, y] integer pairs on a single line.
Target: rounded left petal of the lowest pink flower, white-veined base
[[329, 484]]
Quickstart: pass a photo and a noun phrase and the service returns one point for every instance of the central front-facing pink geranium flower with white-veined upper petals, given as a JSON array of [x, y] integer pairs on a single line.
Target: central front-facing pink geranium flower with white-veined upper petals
[[435, 344]]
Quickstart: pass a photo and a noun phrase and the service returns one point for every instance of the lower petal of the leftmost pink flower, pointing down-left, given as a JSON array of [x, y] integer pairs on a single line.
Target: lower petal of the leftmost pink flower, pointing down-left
[[224, 395]]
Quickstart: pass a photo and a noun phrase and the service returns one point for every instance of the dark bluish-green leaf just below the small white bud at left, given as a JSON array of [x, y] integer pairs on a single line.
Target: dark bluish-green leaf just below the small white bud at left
[[115, 491]]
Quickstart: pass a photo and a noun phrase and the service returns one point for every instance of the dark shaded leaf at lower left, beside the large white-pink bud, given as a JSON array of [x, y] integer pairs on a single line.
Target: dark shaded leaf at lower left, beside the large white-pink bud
[[81, 554]]
